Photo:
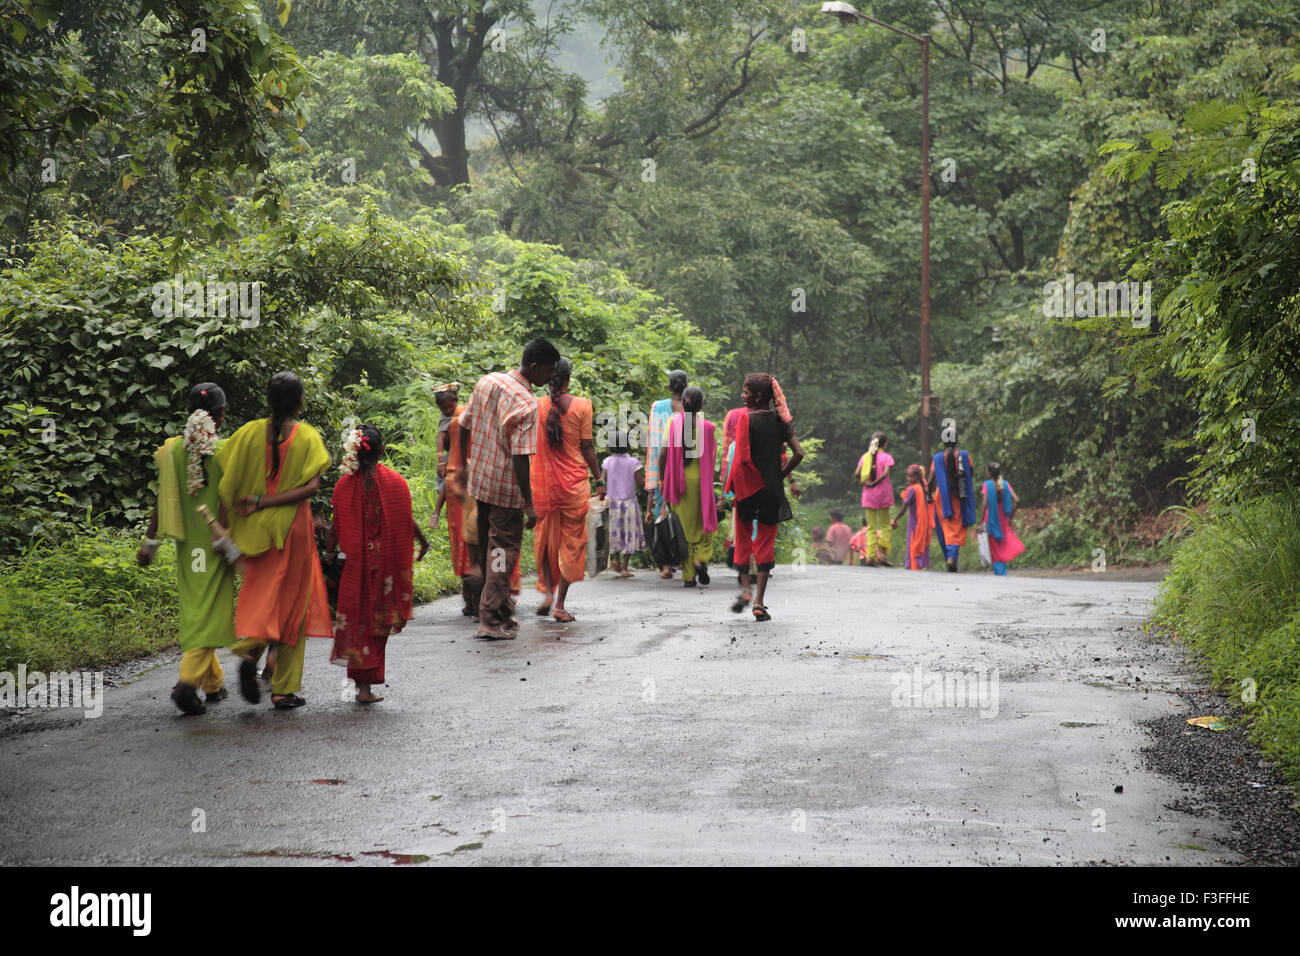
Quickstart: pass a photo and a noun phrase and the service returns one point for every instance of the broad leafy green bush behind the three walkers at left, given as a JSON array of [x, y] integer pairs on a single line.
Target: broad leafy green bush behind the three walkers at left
[[81, 334]]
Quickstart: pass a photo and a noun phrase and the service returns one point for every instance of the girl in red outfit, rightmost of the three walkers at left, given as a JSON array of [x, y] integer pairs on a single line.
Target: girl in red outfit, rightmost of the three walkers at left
[[375, 530]]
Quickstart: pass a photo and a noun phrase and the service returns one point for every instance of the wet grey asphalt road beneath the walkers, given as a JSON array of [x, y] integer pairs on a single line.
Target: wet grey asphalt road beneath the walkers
[[658, 729]]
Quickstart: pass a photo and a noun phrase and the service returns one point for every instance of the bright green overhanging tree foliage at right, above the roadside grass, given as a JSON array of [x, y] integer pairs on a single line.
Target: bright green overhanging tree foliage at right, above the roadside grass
[[1230, 321]]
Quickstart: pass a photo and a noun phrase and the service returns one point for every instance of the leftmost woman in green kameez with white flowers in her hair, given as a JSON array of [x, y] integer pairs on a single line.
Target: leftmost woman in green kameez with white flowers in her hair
[[189, 477]]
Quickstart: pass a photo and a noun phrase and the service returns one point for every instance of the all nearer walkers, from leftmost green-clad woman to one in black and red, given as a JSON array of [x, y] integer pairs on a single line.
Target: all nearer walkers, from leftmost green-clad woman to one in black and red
[[508, 462]]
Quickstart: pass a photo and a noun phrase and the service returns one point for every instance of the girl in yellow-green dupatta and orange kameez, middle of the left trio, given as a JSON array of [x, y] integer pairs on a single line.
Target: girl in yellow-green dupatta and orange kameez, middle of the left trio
[[271, 470]]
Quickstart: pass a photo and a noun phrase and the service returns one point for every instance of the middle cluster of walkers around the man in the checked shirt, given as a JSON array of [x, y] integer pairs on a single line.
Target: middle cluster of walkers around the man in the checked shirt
[[553, 481]]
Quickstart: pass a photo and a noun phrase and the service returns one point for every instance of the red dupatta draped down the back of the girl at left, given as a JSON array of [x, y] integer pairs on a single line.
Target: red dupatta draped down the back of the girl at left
[[372, 521]]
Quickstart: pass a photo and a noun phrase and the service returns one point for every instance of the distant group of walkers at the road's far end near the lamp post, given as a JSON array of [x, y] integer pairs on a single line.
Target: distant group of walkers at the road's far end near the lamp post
[[939, 500]]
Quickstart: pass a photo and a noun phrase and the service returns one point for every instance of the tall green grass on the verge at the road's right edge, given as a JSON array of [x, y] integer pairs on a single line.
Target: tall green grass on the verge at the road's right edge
[[1233, 596]]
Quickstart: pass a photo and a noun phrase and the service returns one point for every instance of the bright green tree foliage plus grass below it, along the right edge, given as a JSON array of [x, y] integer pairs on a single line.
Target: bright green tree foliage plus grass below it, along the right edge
[[1230, 335]]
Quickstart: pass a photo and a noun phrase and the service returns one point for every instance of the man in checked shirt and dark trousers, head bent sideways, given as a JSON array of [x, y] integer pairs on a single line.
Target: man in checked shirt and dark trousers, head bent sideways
[[500, 430]]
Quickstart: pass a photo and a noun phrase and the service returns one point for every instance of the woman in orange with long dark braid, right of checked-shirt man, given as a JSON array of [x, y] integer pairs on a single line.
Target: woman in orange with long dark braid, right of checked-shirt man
[[565, 458]]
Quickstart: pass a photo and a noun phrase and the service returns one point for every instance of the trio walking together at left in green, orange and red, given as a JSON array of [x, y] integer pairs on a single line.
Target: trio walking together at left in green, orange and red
[[244, 507]]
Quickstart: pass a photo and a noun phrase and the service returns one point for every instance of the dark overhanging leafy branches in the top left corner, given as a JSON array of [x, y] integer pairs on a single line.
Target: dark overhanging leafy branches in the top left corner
[[105, 96]]
